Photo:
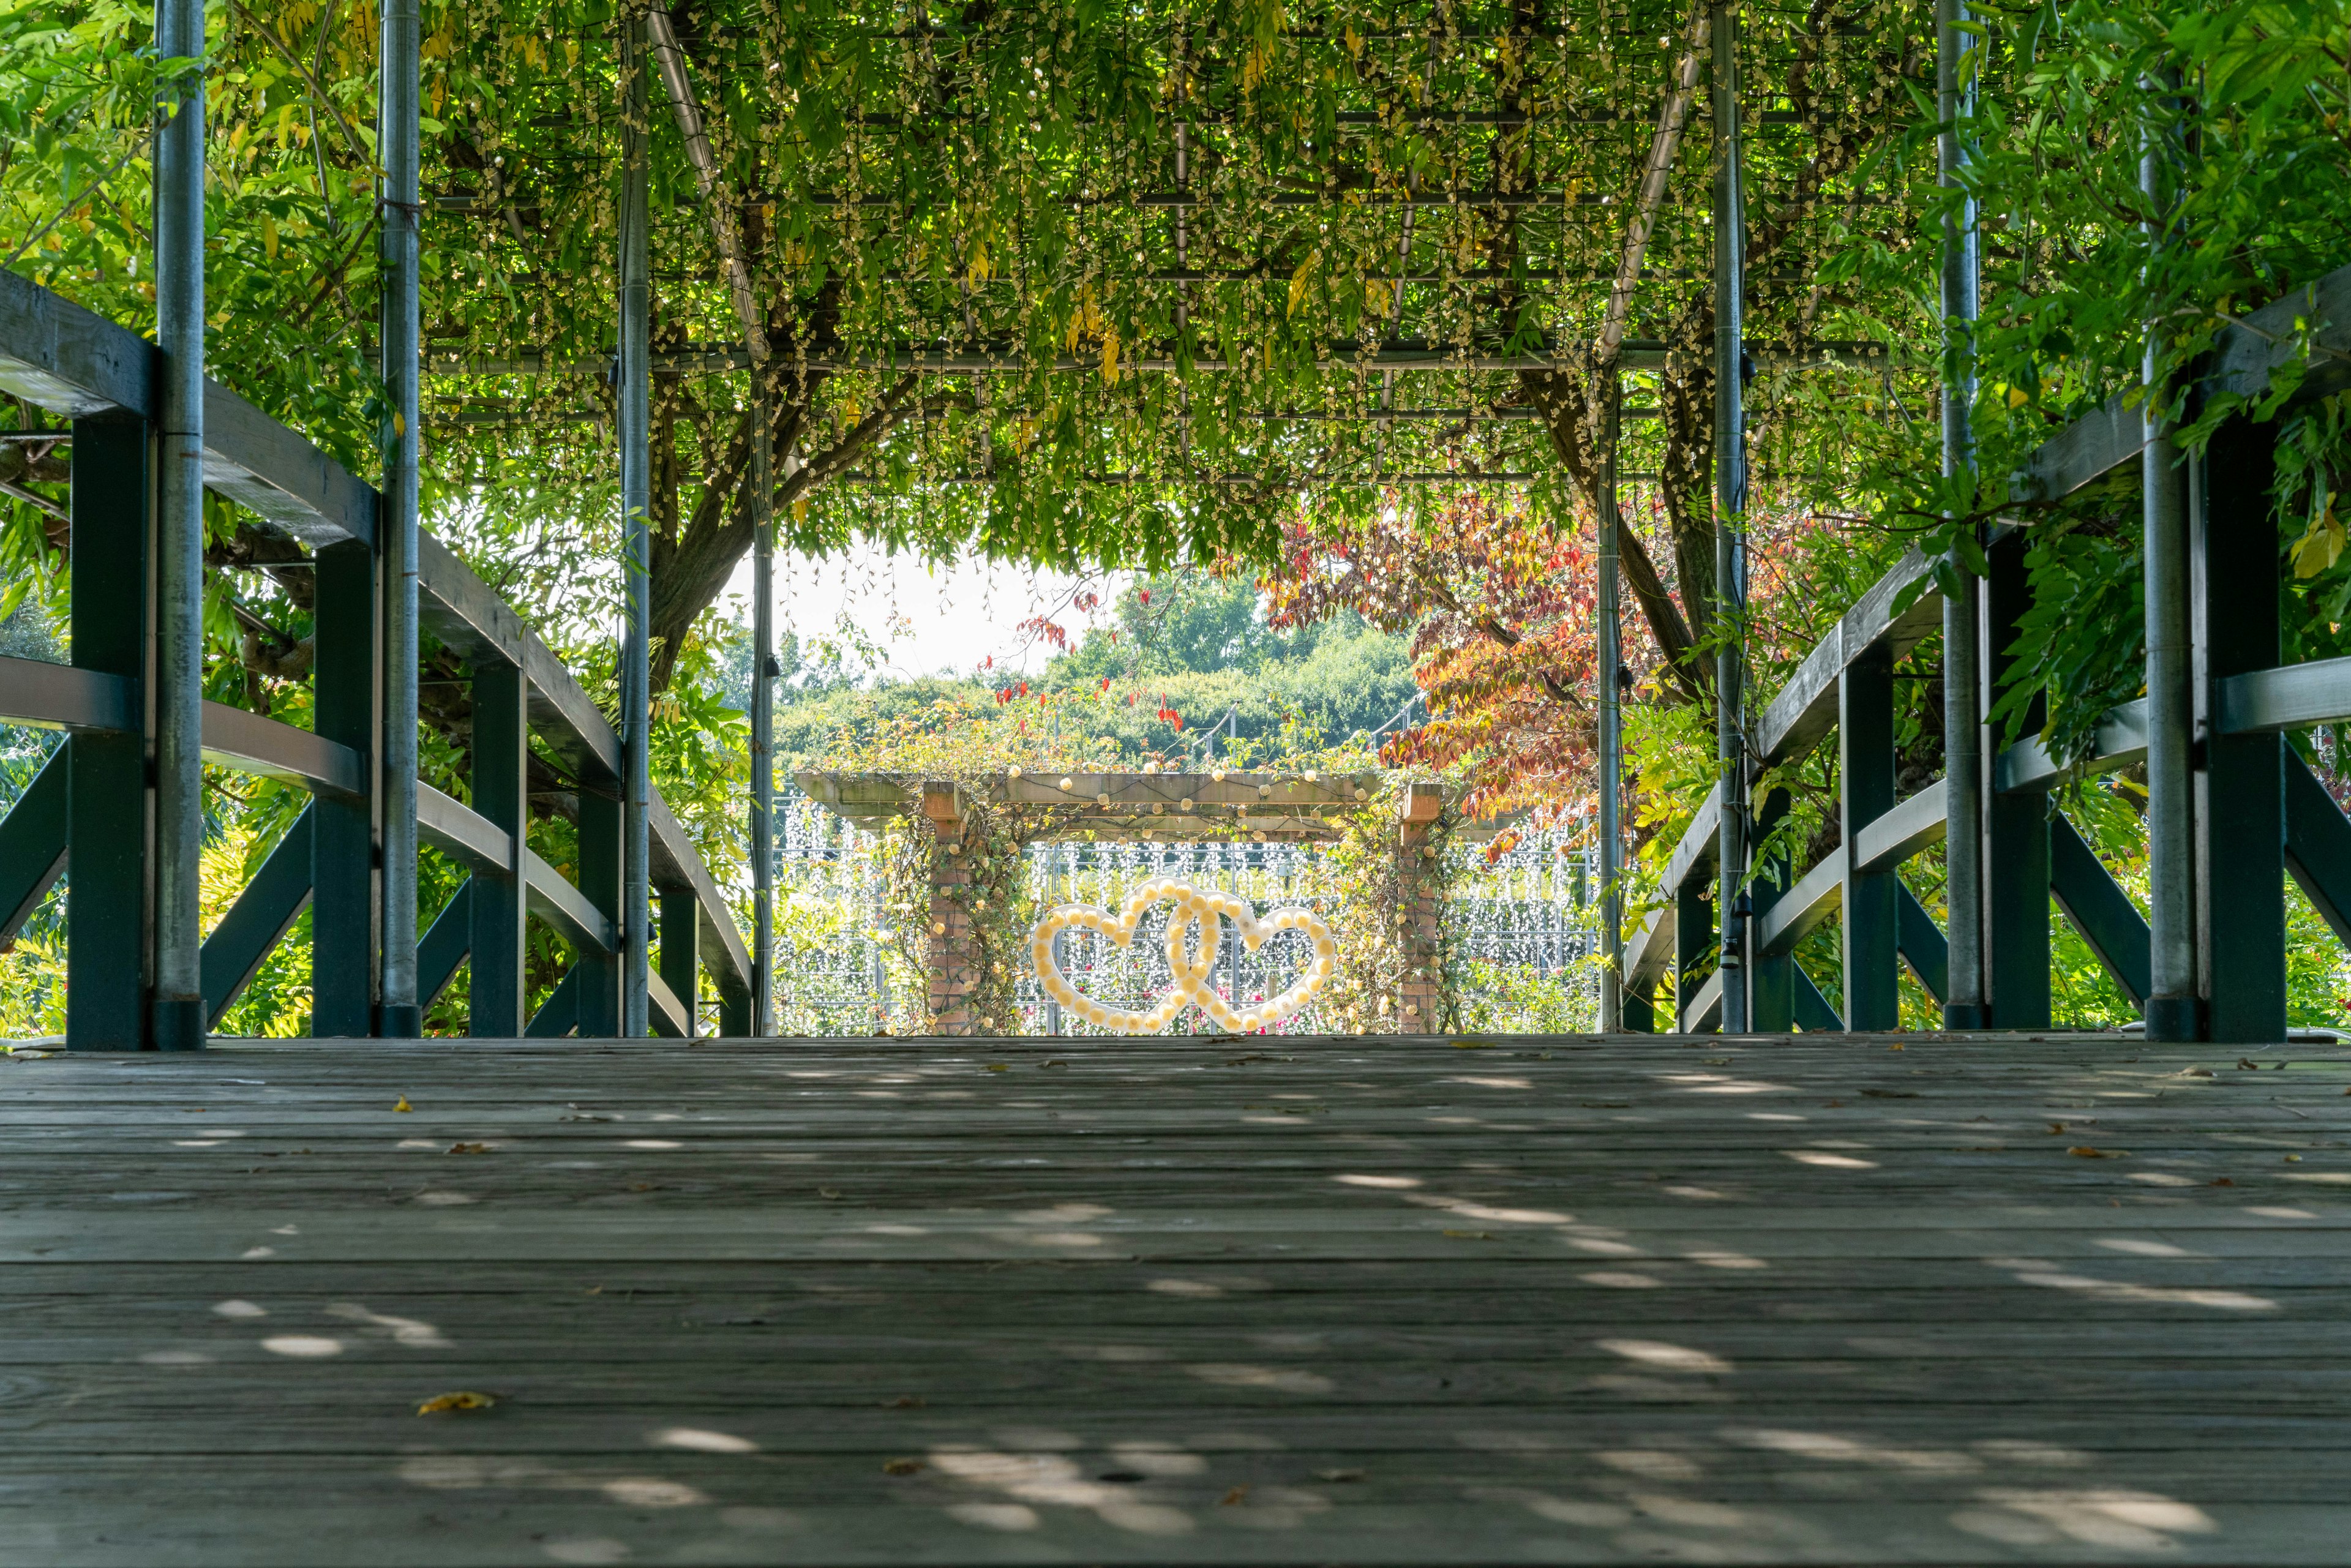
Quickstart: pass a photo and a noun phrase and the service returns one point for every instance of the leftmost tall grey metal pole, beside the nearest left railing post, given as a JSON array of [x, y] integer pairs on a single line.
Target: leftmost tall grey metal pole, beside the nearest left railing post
[[180, 537]]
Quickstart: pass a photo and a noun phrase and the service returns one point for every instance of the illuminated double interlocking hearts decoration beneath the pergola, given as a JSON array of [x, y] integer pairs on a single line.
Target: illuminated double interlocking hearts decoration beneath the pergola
[[1203, 913]]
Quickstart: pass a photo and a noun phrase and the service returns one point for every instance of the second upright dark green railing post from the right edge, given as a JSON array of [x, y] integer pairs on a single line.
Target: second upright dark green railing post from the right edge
[[2016, 831]]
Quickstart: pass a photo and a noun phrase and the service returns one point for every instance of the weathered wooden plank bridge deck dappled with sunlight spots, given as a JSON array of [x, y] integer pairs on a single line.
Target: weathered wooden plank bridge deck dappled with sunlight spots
[[1318, 1301]]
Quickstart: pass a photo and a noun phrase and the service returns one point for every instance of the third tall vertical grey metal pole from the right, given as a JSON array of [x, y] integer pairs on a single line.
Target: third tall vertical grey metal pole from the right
[[1729, 509]]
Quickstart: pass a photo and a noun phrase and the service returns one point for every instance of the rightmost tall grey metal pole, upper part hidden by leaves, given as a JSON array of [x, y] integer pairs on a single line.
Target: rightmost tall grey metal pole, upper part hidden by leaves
[[2171, 709]]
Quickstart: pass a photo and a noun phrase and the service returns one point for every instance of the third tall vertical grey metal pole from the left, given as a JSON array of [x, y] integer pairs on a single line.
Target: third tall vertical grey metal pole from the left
[[636, 535]]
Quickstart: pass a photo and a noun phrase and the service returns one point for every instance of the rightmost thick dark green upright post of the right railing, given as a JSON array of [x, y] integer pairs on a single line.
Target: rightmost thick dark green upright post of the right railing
[[2242, 786]]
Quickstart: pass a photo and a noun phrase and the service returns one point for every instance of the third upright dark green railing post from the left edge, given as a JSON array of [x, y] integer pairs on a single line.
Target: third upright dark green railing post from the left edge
[[500, 906]]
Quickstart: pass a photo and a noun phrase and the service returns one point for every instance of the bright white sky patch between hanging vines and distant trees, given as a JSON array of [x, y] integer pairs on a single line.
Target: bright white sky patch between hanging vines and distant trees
[[930, 622]]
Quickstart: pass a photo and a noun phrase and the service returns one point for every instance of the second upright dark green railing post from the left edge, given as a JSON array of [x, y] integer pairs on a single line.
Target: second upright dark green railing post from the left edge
[[347, 836]]
